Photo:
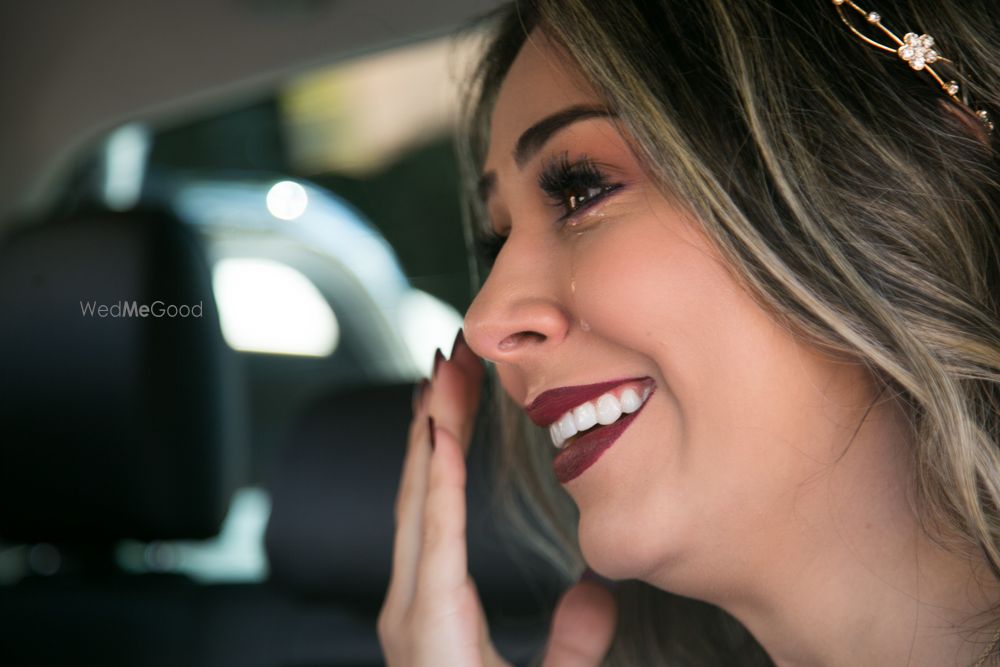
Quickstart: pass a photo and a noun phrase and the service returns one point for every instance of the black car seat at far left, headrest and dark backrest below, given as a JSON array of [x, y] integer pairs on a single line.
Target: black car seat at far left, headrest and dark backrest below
[[113, 424]]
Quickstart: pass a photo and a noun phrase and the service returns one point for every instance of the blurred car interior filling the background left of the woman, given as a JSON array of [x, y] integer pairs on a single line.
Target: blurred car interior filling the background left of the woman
[[230, 242]]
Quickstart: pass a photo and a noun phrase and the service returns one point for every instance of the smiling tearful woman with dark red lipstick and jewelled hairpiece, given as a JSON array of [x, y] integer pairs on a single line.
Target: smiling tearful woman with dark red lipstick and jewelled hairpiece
[[743, 301]]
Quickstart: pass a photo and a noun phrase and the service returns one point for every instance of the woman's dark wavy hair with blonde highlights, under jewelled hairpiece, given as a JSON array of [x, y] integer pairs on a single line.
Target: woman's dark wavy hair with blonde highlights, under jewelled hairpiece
[[852, 200]]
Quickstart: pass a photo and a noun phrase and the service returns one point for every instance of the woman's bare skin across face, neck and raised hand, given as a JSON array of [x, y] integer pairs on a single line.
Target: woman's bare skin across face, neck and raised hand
[[764, 475]]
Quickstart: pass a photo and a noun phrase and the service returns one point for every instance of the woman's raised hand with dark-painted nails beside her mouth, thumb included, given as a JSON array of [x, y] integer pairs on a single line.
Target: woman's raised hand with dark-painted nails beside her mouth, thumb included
[[432, 616]]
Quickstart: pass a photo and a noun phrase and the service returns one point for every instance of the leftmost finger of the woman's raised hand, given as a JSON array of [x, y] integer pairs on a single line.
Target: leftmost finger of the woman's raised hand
[[409, 509]]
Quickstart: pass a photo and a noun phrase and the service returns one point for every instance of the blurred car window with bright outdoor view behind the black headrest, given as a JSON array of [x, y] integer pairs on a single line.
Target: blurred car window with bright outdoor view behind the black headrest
[[328, 211]]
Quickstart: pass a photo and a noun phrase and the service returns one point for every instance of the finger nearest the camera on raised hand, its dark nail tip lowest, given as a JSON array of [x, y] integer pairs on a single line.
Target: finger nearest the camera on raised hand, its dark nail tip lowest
[[443, 567]]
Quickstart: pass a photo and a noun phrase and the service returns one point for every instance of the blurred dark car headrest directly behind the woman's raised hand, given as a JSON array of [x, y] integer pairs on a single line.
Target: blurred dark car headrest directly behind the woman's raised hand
[[330, 533]]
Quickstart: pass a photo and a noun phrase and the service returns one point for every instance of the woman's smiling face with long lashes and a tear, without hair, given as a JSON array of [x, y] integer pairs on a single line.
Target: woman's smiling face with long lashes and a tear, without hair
[[602, 278]]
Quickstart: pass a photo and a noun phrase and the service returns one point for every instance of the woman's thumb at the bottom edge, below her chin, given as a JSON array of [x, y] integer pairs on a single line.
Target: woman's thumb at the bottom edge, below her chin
[[582, 626]]
